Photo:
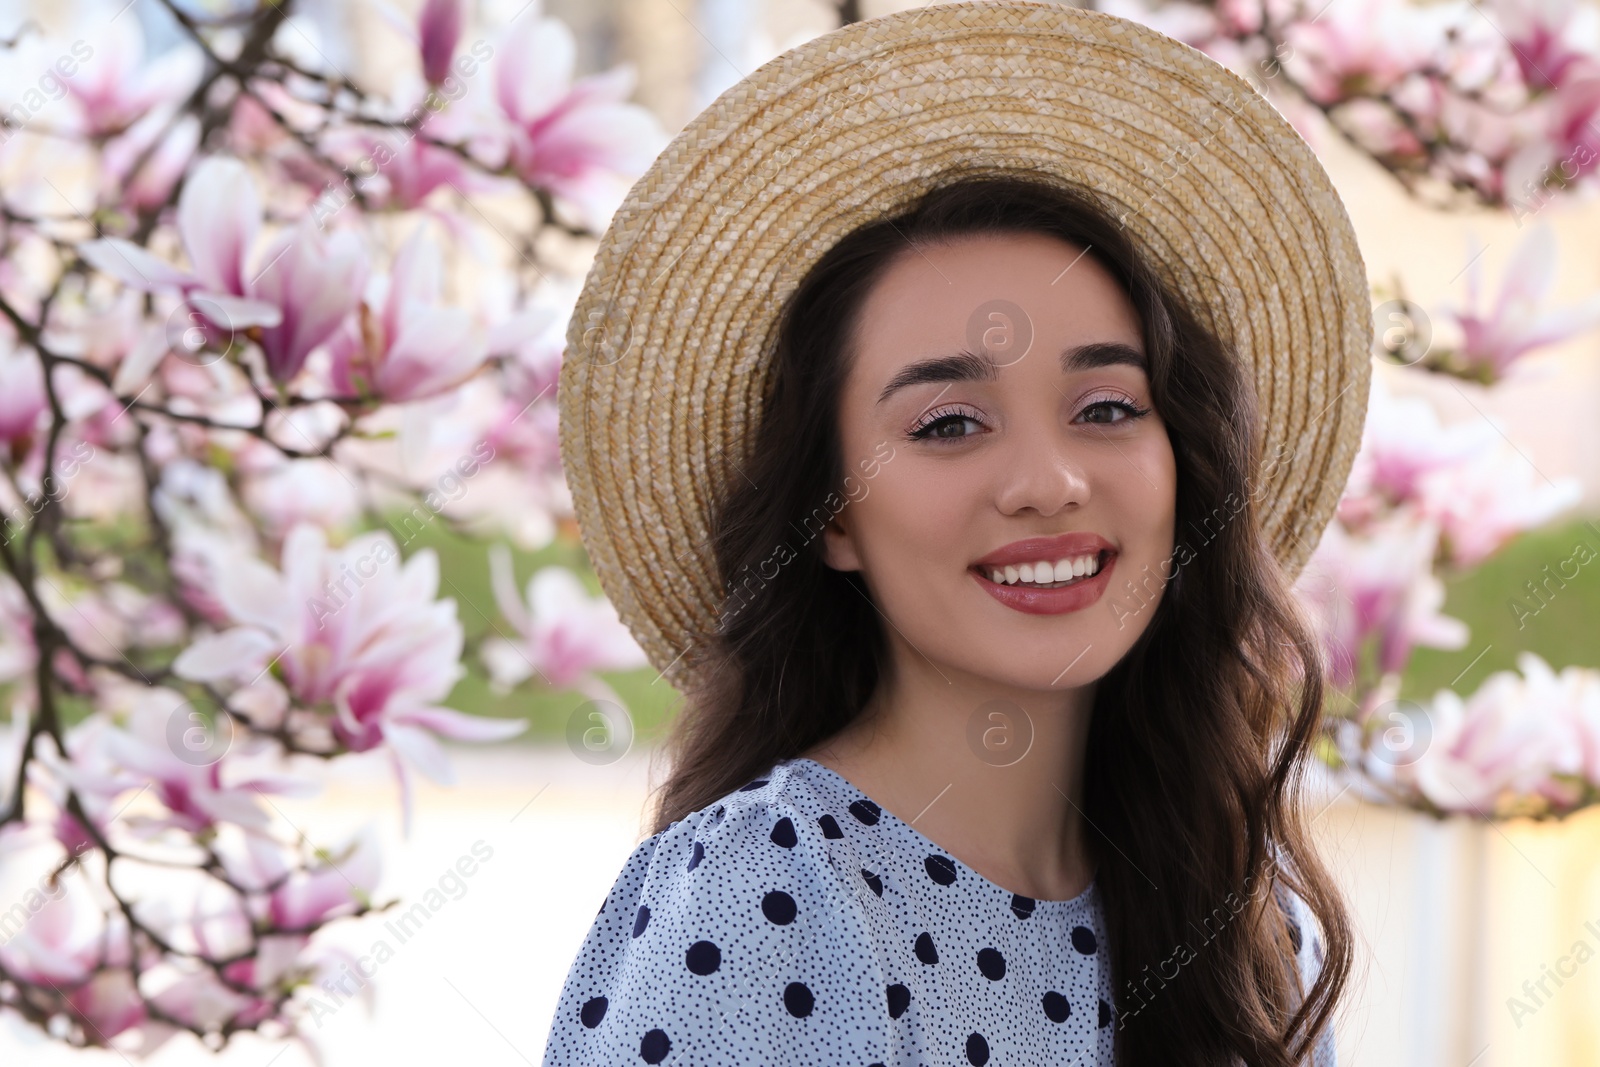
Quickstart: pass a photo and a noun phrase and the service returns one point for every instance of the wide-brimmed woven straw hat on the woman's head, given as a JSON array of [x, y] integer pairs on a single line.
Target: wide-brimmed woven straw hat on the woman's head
[[668, 351]]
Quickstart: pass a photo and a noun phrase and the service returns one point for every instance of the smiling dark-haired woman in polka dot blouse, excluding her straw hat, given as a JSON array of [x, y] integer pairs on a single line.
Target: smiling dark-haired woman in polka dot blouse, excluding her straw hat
[[991, 743]]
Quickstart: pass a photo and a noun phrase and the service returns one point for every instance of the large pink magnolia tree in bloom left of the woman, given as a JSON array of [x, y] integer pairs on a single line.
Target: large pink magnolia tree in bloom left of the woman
[[244, 364]]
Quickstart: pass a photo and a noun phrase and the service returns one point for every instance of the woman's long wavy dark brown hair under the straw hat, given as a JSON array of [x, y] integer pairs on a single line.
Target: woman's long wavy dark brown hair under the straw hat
[[1199, 735]]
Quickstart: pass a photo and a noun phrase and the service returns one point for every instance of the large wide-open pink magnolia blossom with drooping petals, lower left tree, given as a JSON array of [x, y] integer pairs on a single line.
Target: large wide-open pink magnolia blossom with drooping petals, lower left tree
[[358, 636]]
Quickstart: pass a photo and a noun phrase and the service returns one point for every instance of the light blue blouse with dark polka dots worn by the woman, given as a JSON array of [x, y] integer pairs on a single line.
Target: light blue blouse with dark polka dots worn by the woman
[[799, 922]]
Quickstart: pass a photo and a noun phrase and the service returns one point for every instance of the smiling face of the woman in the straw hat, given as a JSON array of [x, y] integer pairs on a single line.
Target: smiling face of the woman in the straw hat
[[1057, 446]]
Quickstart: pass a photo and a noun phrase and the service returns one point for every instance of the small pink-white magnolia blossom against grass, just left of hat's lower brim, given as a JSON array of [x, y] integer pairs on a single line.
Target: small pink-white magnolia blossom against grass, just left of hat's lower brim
[[564, 633]]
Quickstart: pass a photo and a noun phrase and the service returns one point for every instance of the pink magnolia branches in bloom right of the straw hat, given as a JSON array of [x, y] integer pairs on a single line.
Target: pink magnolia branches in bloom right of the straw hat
[[1465, 103]]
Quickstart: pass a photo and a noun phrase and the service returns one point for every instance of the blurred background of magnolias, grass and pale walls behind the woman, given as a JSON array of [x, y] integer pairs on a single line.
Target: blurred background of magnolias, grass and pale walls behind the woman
[[284, 294]]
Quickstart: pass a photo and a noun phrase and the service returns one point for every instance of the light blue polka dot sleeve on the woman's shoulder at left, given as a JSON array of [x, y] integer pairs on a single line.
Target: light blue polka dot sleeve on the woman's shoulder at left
[[727, 933]]
